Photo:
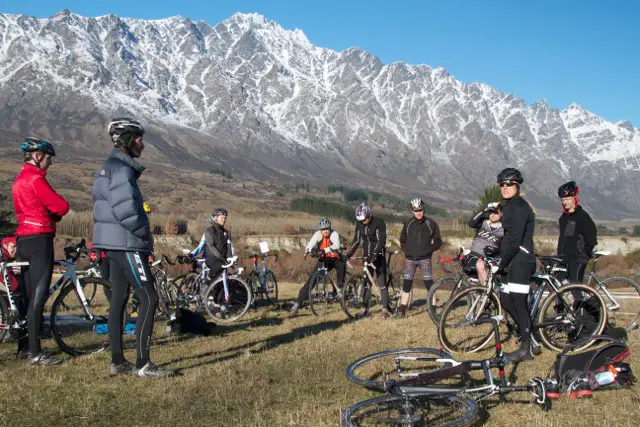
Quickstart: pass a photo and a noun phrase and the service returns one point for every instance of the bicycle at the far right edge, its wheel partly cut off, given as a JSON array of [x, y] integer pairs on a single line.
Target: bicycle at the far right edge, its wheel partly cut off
[[623, 301]]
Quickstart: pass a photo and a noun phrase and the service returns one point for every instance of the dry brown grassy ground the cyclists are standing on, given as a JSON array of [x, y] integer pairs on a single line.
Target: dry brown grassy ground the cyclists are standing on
[[265, 371]]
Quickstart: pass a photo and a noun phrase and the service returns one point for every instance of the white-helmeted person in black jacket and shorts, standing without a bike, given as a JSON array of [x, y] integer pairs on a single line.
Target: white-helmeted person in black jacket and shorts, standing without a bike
[[419, 239]]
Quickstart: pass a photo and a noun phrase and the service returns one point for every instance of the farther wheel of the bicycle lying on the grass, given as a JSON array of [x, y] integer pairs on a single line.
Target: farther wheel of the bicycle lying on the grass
[[373, 371]]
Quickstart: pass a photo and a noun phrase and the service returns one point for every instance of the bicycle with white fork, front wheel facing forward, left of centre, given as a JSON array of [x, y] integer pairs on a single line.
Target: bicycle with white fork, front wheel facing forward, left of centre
[[228, 298]]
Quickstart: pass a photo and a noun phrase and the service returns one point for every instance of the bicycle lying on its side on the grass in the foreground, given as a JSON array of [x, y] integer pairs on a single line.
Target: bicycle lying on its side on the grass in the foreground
[[427, 387]]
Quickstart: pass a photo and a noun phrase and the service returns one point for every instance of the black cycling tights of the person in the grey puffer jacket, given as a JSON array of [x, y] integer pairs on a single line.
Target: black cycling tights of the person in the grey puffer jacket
[[131, 270]]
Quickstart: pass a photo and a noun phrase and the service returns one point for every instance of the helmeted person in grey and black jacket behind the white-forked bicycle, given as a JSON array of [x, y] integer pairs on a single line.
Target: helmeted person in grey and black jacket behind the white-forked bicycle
[[217, 243]]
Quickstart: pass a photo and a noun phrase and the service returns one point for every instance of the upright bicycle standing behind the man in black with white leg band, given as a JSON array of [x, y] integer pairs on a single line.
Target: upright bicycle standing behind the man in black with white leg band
[[560, 315]]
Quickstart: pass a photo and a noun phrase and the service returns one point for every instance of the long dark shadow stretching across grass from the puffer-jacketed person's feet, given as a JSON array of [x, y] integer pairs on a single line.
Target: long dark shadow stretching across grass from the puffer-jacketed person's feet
[[266, 344]]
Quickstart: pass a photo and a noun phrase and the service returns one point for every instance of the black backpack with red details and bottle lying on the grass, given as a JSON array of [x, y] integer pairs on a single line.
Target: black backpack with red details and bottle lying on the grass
[[583, 368]]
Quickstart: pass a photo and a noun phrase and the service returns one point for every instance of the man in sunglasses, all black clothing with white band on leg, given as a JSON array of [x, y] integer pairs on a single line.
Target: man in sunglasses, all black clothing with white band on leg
[[517, 258]]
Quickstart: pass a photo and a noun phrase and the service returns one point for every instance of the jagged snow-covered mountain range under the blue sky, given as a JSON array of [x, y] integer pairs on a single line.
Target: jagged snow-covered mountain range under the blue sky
[[260, 100]]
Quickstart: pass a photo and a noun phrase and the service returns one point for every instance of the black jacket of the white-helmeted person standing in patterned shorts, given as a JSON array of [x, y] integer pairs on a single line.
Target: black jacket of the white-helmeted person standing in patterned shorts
[[420, 239]]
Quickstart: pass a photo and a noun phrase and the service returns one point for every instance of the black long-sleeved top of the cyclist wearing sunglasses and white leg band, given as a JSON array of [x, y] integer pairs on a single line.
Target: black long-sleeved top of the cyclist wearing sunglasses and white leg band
[[518, 222]]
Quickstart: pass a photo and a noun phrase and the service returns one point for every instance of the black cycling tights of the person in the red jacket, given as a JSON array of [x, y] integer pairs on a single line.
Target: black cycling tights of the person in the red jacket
[[38, 251]]
